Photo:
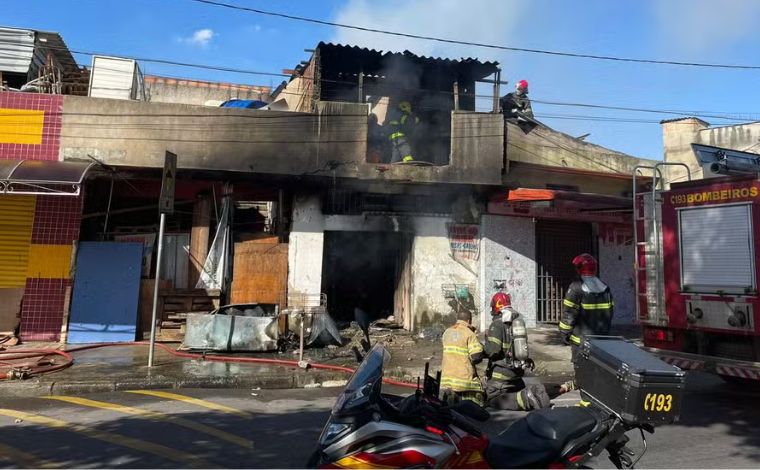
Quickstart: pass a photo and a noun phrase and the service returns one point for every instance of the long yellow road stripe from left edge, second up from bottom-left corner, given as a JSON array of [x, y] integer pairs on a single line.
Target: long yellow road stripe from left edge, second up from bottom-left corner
[[112, 438]]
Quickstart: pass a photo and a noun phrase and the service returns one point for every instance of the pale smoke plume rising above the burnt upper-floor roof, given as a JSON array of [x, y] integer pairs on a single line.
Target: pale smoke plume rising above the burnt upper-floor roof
[[489, 21]]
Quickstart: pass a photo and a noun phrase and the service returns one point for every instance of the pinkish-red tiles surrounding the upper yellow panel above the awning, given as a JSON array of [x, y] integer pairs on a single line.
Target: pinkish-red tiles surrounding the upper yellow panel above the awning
[[51, 132]]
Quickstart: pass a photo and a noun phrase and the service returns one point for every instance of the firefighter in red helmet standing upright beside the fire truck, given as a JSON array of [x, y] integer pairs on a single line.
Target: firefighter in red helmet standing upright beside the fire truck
[[588, 308]]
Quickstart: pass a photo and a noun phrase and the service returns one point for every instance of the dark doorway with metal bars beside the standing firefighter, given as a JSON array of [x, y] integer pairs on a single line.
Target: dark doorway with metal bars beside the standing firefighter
[[557, 243]]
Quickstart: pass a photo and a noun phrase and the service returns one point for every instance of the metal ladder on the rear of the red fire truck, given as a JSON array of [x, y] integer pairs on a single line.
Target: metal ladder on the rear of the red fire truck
[[648, 246]]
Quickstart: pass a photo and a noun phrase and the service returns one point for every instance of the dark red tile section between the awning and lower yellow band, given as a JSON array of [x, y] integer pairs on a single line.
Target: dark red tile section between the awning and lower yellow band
[[57, 220]]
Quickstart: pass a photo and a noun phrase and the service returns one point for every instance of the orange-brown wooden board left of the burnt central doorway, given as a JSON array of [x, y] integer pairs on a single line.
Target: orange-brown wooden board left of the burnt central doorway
[[260, 273]]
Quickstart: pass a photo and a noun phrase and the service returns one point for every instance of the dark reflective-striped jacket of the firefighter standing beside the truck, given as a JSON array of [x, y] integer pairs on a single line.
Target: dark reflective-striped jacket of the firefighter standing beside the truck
[[588, 309]]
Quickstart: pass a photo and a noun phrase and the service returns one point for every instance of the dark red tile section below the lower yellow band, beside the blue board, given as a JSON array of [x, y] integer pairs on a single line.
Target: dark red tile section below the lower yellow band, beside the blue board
[[42, 309]]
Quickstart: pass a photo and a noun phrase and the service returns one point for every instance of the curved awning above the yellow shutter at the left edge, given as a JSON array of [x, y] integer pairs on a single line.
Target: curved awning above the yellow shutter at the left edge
[[37, 177]]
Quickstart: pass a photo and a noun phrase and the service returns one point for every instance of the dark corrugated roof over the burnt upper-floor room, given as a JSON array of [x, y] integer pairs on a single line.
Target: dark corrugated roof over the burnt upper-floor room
[[339, 58]]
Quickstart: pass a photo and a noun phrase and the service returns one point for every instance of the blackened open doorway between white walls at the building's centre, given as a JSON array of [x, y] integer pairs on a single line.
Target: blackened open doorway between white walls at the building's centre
[[366, 270]]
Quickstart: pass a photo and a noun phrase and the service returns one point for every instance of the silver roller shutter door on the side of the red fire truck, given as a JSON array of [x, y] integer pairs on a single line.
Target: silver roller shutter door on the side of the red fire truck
[[717, 249]]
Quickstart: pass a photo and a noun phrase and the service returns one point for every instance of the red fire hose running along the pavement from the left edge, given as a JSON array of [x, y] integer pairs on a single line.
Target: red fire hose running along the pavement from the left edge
[[43, 366]]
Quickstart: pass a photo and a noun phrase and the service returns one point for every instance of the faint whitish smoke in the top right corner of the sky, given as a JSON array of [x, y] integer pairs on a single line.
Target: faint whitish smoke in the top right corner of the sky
[[699, 26]]
